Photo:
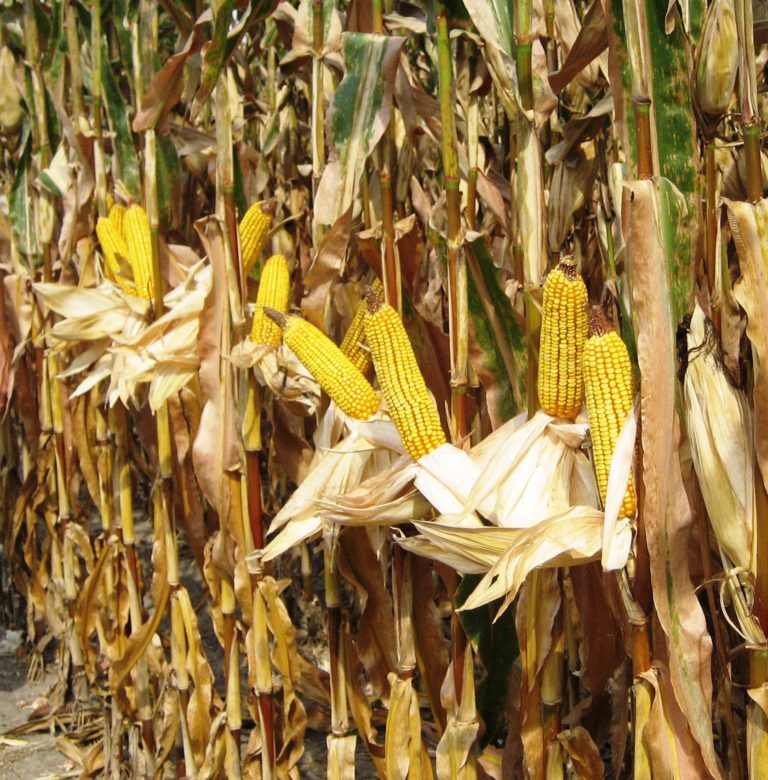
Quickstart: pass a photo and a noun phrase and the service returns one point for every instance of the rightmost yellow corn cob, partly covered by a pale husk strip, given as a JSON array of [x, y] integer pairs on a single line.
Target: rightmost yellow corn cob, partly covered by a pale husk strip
[[608, 385]]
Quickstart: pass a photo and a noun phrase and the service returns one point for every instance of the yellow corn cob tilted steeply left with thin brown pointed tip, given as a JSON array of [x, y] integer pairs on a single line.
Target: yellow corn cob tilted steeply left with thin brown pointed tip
[[328, 365]]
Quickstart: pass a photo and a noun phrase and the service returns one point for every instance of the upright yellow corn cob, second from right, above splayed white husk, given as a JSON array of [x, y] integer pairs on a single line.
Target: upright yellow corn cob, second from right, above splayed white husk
[[564, 329]]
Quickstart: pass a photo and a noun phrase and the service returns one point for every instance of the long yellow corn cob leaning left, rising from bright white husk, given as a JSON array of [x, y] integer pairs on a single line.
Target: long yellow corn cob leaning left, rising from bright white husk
[[402, 385]]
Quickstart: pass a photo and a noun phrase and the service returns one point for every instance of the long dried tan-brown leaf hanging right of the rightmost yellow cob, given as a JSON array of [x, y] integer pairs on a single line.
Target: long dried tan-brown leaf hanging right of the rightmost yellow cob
[[666, 512]]
